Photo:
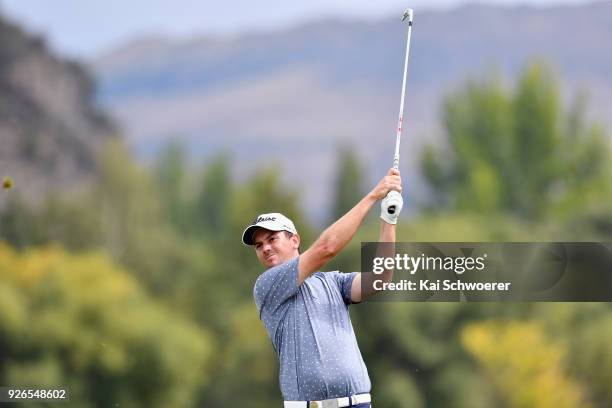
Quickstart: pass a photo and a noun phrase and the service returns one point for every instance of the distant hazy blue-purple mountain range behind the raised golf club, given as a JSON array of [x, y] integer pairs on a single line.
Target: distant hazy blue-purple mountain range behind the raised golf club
[[291, 97]]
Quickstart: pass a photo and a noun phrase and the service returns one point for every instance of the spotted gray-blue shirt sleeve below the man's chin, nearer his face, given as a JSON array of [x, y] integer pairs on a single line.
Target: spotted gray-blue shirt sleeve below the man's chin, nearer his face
[[276, 285]]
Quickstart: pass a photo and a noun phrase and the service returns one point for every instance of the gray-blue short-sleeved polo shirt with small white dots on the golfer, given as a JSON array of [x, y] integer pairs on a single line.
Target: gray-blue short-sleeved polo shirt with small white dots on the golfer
[[311, 332]]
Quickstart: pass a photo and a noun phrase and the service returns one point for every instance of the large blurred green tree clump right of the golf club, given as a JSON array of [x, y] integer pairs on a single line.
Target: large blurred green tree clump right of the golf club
[[517, 152]]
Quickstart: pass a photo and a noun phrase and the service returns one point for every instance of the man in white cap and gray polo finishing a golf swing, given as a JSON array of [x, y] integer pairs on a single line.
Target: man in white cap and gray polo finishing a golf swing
[[306, 311]]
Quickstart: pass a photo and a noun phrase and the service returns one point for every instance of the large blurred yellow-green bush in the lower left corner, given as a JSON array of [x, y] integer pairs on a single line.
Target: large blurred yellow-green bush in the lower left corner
[[80, 321]]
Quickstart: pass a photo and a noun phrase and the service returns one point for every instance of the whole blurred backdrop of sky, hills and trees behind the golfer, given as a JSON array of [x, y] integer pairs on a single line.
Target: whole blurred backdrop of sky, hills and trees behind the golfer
[[139, 139]]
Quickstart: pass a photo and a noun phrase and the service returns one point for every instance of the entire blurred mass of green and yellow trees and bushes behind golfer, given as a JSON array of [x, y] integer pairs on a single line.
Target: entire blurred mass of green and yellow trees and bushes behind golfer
[[153, 276]]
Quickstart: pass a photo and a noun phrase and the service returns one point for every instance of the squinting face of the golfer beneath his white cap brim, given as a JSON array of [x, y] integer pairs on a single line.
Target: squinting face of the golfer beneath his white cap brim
[[275, 247]]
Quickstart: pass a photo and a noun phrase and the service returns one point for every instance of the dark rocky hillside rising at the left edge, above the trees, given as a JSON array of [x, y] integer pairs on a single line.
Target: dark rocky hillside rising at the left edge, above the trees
[[50, 127]]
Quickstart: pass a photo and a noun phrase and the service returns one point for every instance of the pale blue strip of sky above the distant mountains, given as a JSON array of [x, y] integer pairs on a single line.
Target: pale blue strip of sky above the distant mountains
[[88, 28]]
